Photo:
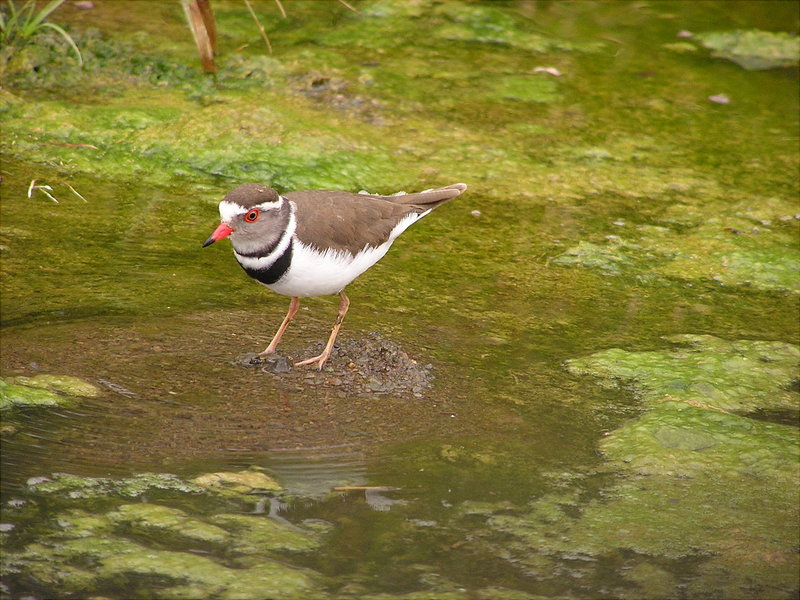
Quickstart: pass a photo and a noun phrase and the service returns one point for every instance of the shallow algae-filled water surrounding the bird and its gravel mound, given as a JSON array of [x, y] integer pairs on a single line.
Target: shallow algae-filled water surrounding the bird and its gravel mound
[[617, 206]]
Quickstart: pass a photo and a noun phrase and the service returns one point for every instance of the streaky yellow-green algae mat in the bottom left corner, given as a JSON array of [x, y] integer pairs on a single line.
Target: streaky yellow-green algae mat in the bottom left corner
[[82, 551]]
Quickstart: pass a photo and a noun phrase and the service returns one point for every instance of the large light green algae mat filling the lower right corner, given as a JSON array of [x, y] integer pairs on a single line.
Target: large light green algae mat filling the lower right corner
[[676, 464]]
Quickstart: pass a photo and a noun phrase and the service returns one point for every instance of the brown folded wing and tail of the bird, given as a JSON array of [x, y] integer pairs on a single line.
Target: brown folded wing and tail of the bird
[[348, 222]]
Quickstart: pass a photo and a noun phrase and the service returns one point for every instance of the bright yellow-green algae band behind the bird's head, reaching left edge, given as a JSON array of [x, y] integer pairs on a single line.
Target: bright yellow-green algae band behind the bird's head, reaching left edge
[[284, 158]]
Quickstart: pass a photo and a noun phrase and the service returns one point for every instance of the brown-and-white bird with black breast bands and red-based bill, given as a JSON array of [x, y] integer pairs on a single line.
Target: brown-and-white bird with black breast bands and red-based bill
[[315, 242]]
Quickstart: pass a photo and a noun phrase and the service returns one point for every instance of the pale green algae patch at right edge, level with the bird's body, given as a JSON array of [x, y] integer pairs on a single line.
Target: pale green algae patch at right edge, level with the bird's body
[[750, 242]]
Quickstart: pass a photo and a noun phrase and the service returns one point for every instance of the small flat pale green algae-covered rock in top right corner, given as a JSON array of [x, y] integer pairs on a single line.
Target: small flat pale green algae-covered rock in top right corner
[[753, 49]]
